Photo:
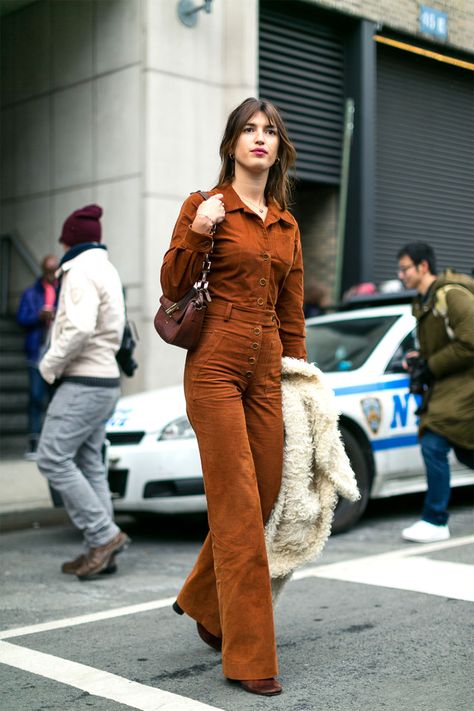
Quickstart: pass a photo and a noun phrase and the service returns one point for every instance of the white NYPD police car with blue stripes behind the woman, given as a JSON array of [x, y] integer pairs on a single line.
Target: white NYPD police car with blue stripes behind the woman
[[154, 464]]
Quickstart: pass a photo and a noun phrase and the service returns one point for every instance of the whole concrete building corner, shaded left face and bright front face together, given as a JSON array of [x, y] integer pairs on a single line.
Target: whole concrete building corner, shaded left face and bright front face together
[[117, 102]]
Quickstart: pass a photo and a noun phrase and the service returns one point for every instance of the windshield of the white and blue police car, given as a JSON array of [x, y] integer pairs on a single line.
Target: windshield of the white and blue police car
[[345, 345]]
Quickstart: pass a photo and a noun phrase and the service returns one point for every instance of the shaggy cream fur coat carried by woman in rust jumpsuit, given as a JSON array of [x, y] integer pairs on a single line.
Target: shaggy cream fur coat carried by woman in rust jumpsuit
[[316, 471]]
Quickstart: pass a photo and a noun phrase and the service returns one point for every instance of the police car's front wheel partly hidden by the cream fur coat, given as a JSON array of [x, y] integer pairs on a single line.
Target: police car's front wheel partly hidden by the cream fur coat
[[347, 513]]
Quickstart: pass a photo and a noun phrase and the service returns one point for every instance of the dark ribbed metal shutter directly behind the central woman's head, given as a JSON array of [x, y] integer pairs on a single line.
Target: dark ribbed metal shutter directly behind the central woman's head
[[302, 71]]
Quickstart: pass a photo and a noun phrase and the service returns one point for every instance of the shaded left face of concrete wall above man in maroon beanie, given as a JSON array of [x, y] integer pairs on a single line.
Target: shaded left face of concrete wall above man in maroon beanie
[[71, 125]]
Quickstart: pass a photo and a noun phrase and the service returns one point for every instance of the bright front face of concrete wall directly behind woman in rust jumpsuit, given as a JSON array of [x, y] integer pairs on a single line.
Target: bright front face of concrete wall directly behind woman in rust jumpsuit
[[193, 78]]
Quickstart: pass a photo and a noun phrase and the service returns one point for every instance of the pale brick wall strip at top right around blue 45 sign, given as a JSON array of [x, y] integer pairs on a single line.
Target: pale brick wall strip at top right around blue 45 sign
[[403, 16]]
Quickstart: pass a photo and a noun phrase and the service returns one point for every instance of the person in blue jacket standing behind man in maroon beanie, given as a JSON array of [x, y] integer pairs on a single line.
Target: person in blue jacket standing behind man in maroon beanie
[[35, 314]]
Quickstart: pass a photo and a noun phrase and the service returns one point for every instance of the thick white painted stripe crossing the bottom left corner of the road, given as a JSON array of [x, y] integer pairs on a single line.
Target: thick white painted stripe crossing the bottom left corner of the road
[[97, 682]]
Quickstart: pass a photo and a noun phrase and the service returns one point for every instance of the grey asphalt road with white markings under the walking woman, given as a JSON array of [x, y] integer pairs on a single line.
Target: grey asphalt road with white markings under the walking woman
[[375, 624]]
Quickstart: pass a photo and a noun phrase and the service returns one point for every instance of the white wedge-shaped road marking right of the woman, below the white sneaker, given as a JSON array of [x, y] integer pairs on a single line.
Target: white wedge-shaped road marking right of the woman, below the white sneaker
[[405, 569]]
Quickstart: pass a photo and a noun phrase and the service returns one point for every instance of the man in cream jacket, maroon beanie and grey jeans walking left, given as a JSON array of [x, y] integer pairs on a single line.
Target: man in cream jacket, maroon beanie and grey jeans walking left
[[86, 335]]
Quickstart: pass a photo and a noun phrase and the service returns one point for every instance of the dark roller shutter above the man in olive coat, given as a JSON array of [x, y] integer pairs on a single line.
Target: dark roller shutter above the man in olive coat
[[425, 160]]
